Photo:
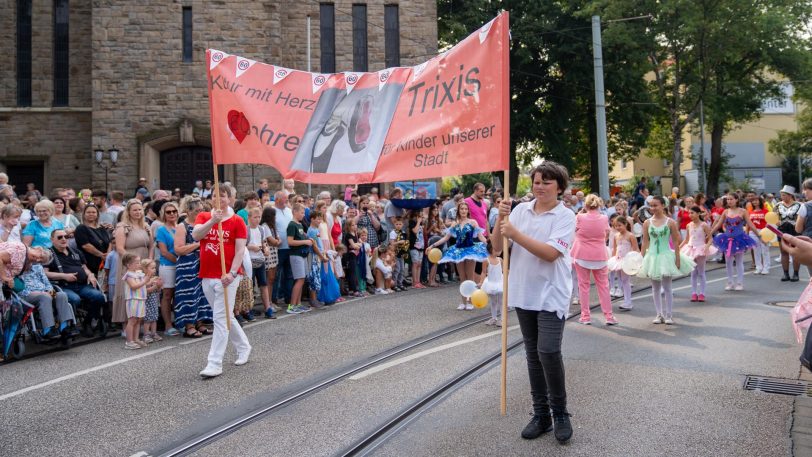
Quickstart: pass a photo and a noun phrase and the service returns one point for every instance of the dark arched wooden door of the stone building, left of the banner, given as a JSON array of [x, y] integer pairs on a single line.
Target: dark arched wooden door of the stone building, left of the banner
[[181, 167]]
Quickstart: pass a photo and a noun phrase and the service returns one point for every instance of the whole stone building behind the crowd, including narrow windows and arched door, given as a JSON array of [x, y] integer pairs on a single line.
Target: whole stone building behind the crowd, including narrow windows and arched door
[[83, 75]]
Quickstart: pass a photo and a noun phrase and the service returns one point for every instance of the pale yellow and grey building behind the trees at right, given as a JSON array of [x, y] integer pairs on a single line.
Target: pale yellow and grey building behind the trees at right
[[746, 146]]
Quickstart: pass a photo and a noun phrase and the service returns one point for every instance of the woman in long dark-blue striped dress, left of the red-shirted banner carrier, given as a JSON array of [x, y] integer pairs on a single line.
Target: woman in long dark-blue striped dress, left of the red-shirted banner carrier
[[191, 307]]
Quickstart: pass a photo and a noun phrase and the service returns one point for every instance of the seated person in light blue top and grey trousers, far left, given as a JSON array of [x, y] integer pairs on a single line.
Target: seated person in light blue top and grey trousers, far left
[[40, 293]]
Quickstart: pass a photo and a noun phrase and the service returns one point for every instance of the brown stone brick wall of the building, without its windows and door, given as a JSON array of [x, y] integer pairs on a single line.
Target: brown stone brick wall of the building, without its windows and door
[[130, 88]]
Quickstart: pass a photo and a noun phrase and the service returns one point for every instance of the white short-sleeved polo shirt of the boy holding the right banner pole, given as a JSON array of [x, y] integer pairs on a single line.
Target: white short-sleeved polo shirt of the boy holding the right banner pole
[[535, 284]]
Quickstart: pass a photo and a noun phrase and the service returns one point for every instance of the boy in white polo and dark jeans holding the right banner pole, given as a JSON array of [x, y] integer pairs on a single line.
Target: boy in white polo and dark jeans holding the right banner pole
[[539, 287]]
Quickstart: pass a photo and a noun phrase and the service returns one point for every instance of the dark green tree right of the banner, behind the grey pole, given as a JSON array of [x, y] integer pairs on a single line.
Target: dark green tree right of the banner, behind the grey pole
[[552, 95]]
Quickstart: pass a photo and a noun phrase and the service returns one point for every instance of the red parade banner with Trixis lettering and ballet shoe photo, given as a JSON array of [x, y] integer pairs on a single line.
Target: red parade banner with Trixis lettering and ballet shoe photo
[[447, 116]]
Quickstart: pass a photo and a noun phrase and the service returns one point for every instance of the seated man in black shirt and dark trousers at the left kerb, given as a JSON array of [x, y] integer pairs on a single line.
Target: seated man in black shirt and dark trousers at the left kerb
[[69, 271]]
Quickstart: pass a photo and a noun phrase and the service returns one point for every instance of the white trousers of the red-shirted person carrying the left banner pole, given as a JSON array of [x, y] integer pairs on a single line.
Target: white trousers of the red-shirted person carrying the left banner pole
[[213, 290]]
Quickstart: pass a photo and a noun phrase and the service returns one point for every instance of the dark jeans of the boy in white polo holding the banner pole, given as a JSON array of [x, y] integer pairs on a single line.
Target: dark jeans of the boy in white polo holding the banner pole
[[542, 332]]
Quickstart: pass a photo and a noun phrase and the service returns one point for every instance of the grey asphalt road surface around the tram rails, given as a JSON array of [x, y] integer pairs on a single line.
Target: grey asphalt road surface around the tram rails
[[635, 389]]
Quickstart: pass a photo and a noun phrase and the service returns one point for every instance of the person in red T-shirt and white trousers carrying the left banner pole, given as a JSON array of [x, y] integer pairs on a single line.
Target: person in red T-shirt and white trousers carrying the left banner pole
[[216, 284]]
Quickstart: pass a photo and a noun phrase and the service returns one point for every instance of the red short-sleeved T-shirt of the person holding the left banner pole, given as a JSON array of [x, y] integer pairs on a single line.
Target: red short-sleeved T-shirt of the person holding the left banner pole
[[233, 229]]
